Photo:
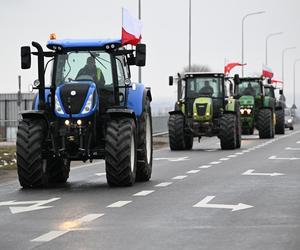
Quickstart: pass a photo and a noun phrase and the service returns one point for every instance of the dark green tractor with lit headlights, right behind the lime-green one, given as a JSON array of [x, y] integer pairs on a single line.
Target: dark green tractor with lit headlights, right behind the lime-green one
[[257, 109]]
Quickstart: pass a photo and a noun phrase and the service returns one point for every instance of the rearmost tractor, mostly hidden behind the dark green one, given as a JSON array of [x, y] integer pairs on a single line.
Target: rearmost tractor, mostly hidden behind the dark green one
[[277, 94]]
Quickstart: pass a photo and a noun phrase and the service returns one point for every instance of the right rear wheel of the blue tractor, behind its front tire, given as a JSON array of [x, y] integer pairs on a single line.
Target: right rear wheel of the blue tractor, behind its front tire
[[145, 148]]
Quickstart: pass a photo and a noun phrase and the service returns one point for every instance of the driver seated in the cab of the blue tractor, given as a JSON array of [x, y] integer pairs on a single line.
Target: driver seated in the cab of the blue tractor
[[91, 70]]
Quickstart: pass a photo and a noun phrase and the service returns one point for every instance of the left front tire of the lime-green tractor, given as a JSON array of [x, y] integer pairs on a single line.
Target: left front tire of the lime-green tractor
[[176, 132]]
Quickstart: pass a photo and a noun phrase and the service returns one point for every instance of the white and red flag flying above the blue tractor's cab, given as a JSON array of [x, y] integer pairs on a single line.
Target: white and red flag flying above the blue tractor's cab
[[131, 29]]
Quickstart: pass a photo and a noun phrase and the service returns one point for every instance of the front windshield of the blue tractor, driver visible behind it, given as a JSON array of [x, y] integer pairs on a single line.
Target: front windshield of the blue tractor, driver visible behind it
[[84, 66]]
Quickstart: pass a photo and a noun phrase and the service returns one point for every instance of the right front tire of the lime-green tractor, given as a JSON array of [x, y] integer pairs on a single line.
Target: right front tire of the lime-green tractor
[[228, 131]]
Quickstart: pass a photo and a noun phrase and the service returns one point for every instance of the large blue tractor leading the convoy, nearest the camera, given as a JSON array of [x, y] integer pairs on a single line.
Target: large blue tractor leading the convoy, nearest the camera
[[90, 110]]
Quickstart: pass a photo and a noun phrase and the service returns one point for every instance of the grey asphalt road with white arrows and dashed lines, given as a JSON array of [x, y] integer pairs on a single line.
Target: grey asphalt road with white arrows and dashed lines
[[200, 199]]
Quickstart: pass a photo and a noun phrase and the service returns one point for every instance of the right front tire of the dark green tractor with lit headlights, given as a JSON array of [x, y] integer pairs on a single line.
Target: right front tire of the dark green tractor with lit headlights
[[265, 124]]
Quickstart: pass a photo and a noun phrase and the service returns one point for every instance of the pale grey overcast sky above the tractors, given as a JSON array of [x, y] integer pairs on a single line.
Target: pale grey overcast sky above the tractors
[[216, 34]]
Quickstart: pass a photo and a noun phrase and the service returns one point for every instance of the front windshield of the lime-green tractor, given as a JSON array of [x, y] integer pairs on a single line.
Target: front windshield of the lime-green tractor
[[204, 86]]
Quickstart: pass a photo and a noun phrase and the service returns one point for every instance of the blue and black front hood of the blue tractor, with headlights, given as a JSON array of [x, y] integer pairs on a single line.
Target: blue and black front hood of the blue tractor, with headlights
[[76, 99]]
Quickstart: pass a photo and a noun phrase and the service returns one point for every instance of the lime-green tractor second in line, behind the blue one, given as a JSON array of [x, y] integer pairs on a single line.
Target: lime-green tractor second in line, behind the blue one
[[203, 109]]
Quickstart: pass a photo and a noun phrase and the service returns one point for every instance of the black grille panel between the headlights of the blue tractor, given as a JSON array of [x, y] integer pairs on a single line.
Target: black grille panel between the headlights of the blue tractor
[[77, 101]]
